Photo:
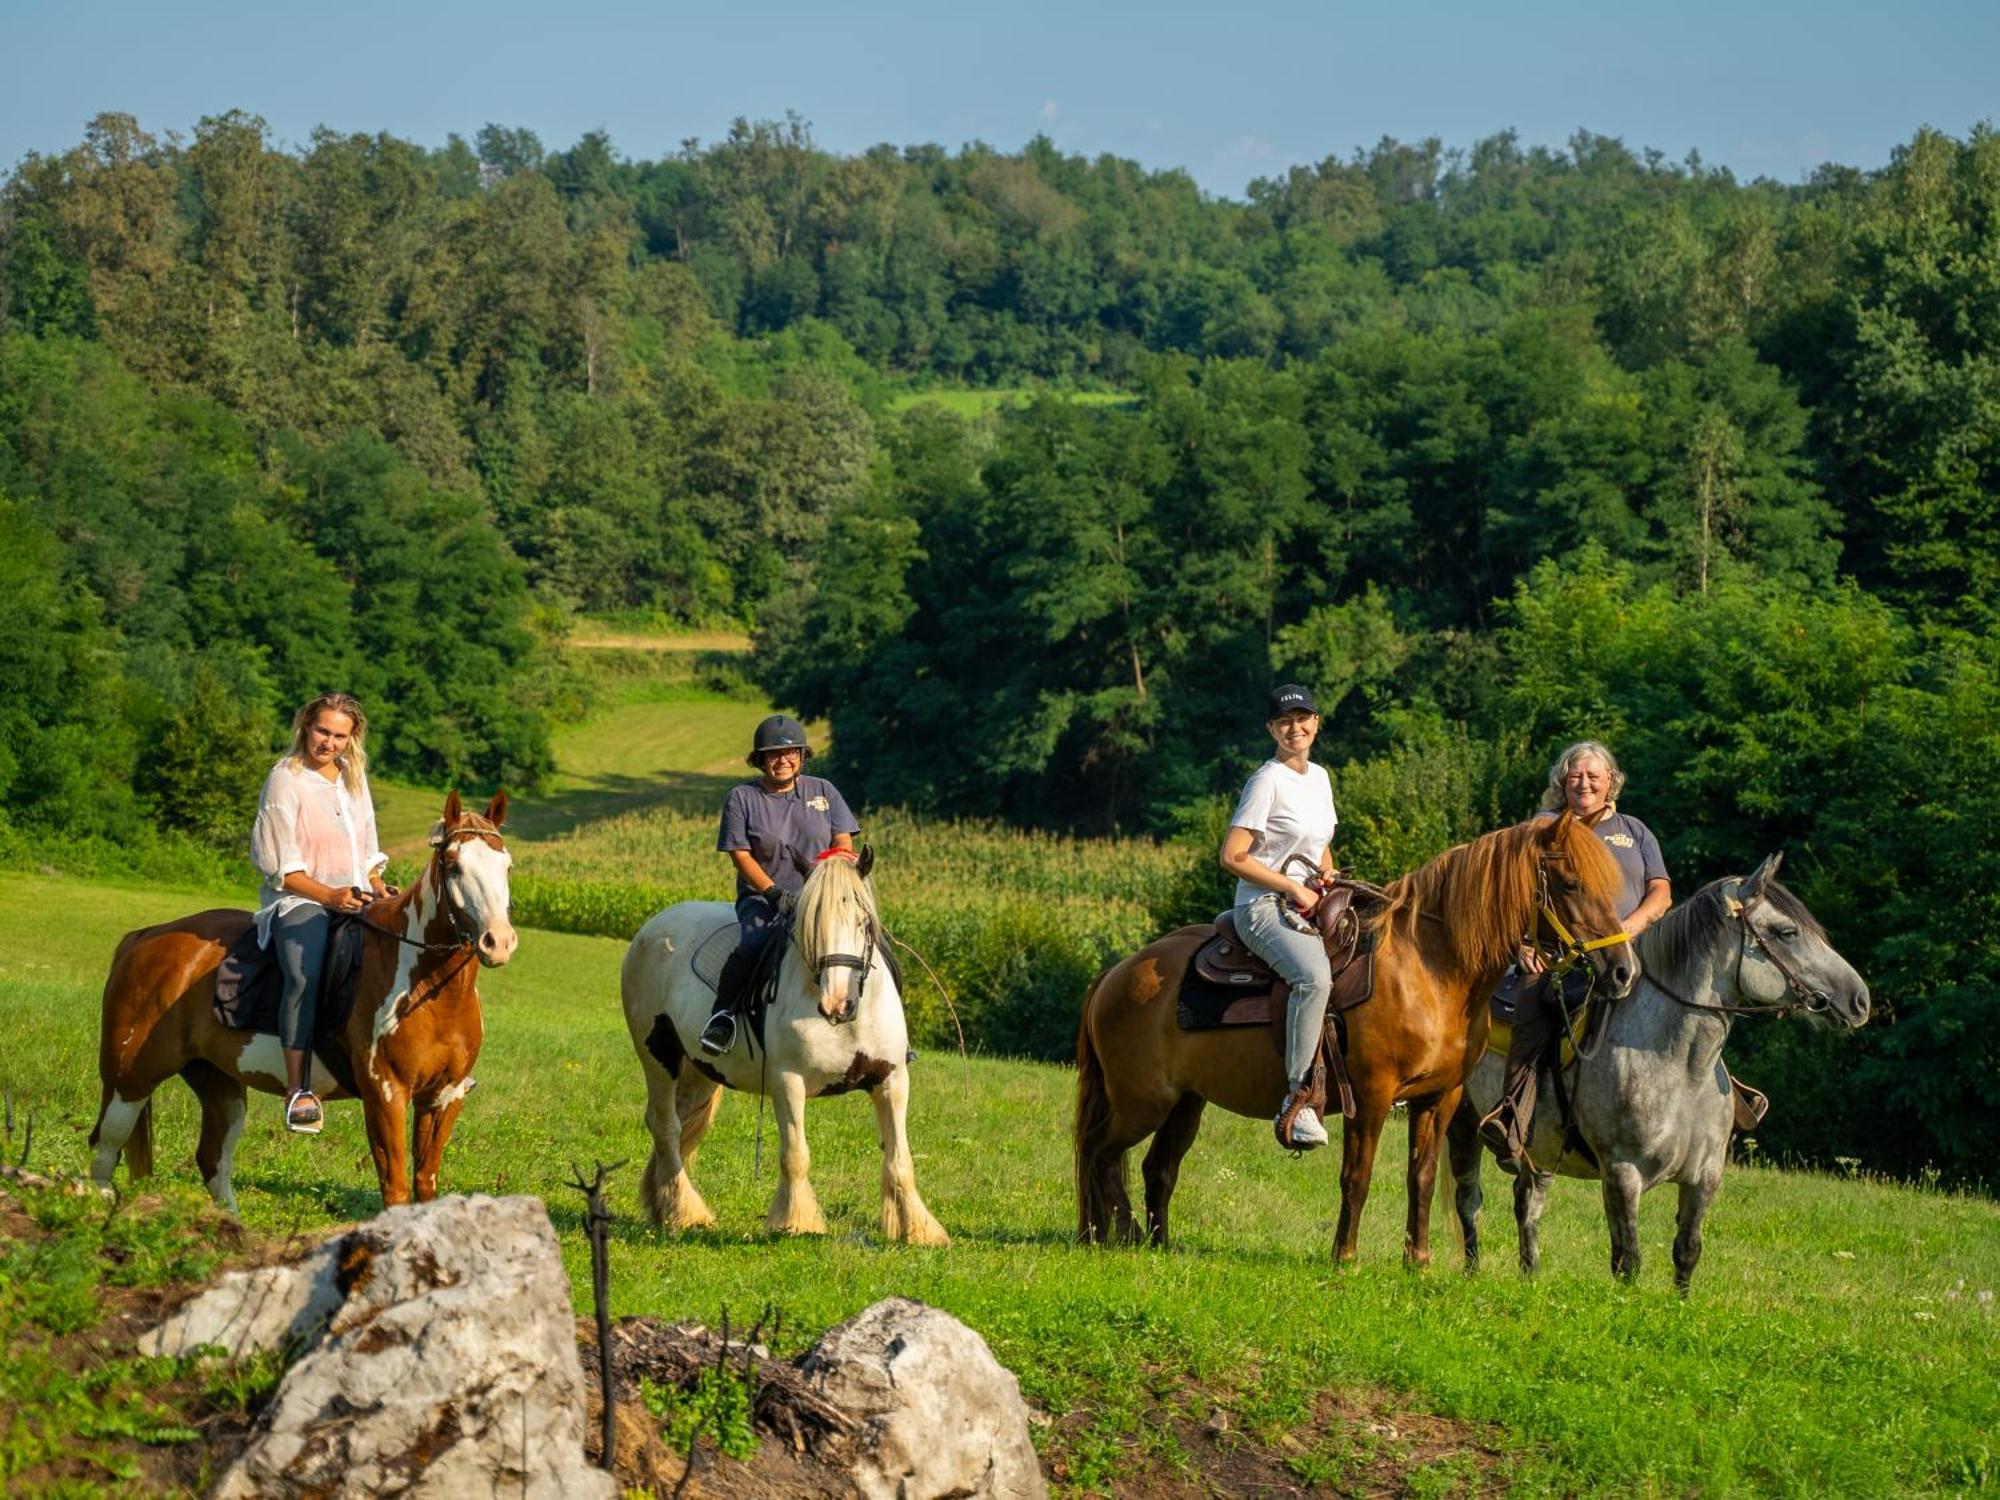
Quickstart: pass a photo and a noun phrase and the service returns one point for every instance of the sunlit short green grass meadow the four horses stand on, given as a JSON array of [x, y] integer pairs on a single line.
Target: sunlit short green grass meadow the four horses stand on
[[1835, 1341]]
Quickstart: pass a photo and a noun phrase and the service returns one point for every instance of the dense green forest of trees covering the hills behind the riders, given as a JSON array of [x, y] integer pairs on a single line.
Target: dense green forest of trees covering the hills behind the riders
[[1495, 447]]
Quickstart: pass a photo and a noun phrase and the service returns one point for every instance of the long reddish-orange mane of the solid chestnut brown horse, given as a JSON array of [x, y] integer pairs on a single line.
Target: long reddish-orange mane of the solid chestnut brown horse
[[1485, 893]]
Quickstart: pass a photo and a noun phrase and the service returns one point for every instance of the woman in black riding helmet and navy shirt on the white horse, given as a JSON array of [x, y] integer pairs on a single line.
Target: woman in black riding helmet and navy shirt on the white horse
[[773, 831]]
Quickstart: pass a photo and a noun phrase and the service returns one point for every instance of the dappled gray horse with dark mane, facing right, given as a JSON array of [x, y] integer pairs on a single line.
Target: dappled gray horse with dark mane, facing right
[[1649, 1091]]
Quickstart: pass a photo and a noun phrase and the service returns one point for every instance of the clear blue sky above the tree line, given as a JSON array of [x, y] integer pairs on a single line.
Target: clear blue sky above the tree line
[[1229, 93]]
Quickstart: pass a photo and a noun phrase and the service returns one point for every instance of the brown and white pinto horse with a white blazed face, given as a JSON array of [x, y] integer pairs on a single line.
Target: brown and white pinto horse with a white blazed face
[[411, 1039]]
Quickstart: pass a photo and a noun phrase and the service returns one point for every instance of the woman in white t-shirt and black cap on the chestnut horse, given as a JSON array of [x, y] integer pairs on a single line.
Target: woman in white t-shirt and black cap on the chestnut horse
[[1287, 811]]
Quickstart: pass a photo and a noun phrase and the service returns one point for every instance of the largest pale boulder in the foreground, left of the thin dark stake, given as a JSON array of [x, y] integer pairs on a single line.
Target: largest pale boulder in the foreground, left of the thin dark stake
[[449, 1367]]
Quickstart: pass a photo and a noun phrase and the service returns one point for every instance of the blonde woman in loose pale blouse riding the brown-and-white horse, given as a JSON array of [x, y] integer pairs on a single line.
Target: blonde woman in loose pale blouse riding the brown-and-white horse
[[315, 843]]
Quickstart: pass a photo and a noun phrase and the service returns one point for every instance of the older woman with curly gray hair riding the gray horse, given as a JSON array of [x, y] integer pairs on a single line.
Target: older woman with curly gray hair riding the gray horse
[[1587, 783]]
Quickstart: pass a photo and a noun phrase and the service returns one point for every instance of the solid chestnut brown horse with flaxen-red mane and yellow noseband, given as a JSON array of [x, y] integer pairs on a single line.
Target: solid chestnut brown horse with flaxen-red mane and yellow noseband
[[1443, 941]]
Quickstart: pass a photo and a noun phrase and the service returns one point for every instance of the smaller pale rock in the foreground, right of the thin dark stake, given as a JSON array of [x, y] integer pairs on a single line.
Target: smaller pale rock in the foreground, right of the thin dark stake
[[943, 1417]]
